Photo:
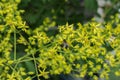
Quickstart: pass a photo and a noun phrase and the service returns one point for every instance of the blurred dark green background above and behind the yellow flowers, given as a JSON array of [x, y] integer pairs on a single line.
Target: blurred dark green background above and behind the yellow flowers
[[71, 11]]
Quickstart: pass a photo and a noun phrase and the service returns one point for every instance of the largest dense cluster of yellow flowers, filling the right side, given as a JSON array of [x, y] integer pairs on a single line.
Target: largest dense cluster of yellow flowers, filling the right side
[[85, 50]]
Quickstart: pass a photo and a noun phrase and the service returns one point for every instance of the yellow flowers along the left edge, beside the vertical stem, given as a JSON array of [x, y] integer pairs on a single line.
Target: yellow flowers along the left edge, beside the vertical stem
[[10, 23]]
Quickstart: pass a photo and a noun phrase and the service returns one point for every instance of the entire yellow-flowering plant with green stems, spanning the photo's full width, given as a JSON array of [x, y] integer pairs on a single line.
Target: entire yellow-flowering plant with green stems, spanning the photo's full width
[[81, 51]]
